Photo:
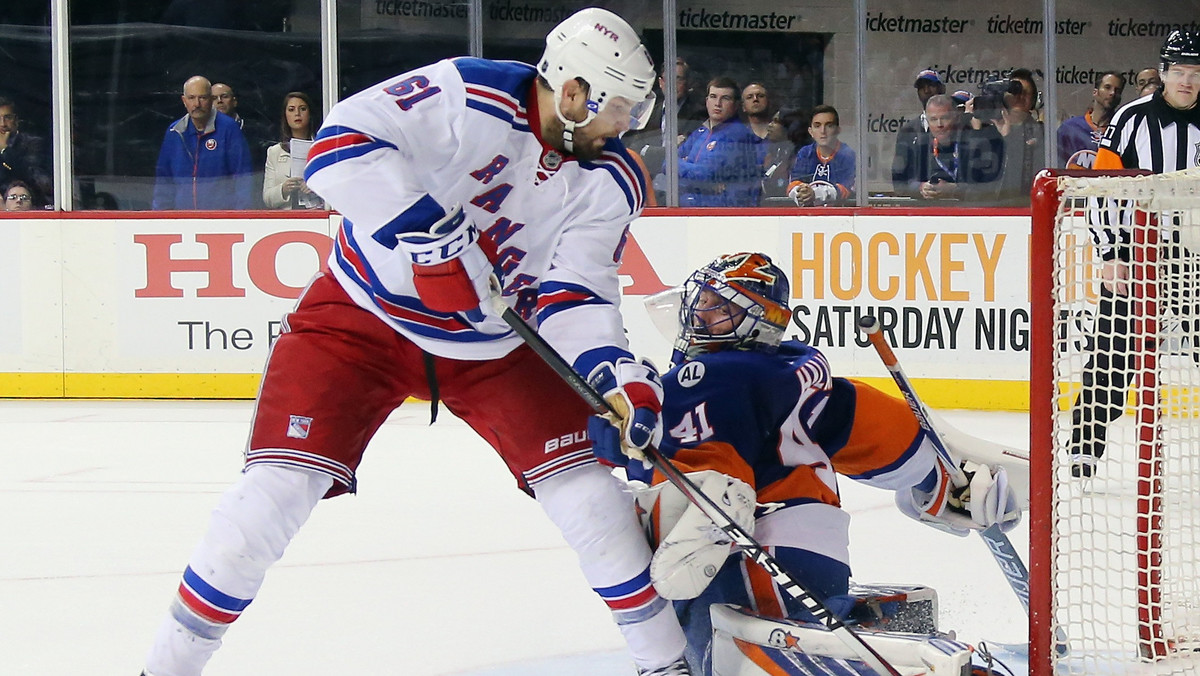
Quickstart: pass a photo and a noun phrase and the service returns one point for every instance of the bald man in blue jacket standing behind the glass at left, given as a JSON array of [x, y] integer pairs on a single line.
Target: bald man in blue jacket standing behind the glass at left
[[205, 161]]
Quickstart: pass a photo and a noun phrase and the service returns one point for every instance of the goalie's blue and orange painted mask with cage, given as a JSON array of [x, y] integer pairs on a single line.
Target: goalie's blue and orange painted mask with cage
[[737, 302]]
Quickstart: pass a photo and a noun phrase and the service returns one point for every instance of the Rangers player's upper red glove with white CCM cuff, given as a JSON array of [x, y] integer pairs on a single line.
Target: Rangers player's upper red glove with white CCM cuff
[[449, 268]]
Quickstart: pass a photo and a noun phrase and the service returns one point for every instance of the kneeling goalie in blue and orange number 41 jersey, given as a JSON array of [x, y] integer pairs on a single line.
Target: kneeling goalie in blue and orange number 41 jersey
[[764, 428]]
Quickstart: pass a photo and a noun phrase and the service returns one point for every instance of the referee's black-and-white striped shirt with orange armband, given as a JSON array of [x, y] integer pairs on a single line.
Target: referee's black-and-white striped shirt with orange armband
[[1147, 134]]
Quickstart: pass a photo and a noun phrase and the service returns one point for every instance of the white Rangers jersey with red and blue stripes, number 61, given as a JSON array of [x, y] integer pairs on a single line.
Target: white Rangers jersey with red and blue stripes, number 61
[[398, 157]]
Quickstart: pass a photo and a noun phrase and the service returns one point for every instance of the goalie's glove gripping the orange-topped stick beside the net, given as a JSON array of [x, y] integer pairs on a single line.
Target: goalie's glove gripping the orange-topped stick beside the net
[[985, 501]]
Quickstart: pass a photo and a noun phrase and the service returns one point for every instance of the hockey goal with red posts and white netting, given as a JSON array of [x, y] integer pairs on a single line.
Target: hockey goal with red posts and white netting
[[1115, 510]]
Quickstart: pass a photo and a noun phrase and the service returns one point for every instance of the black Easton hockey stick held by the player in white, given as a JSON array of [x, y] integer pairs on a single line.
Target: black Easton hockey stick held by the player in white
[[740, 536]]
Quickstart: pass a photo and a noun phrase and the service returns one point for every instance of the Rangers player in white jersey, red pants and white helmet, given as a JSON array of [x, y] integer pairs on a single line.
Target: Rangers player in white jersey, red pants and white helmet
[[448, 176]]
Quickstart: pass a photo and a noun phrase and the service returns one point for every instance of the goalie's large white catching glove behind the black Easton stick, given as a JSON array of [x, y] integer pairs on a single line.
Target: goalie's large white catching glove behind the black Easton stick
[[693, 549]]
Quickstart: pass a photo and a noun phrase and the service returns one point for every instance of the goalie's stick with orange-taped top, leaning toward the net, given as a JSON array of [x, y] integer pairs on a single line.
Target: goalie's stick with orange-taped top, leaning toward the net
[[1001, 548]]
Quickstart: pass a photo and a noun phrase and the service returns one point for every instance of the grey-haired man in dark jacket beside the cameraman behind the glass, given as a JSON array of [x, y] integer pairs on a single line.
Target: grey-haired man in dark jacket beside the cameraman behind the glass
[[952, 161]]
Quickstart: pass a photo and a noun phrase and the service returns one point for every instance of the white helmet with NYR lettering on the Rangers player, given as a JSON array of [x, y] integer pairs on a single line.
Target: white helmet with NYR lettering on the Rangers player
[[601, 49]]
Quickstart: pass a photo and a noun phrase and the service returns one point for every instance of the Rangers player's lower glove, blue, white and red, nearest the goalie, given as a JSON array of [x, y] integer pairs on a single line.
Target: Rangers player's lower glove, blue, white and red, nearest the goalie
[[635, 393]]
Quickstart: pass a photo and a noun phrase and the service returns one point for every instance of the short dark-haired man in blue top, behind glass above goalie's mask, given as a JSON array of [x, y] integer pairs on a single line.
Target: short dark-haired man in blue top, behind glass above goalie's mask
[[719, 161]]
